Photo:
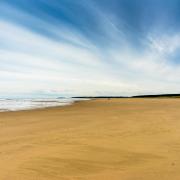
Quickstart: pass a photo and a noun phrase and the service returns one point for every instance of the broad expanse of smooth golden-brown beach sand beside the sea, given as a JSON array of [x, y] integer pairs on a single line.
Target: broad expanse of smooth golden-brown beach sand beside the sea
[[118, 139]]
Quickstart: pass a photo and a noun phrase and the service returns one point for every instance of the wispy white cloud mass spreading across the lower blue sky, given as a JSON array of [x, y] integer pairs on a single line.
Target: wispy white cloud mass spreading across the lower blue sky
[[74, 65]]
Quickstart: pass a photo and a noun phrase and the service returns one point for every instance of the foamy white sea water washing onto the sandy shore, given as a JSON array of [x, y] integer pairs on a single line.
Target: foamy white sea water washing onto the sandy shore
[[27, 104]]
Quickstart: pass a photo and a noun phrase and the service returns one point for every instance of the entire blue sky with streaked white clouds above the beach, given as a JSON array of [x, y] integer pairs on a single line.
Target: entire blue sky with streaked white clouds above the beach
[[89, 47]]
